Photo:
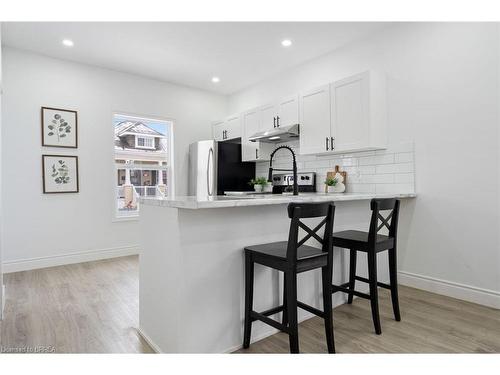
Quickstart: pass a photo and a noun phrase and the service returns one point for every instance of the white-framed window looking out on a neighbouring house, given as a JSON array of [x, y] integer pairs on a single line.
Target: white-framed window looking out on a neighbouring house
[[143, 159]]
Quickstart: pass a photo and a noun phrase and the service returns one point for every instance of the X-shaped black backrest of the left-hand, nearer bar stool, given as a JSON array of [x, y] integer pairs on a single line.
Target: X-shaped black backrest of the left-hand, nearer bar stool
[[297, 211]]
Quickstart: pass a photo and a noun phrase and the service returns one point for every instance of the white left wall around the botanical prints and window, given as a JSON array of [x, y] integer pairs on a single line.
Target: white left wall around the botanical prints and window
[[52, 226]]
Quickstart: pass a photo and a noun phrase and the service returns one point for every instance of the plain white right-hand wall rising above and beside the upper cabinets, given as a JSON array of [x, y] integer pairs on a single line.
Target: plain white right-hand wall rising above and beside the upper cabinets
[[443, 95]]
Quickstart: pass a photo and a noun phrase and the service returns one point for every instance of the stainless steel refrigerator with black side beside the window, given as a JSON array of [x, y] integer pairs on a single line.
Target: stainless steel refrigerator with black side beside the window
[[216, 167]]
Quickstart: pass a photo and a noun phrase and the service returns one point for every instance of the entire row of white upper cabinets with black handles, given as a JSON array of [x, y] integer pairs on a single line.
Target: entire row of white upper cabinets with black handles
[[347, 115]]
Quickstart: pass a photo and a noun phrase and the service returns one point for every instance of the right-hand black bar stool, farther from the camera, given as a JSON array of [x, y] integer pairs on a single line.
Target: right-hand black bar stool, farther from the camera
[[372, 243]]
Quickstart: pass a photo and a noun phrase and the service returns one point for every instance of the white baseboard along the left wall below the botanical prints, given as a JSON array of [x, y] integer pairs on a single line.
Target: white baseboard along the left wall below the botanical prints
[[71, 258]]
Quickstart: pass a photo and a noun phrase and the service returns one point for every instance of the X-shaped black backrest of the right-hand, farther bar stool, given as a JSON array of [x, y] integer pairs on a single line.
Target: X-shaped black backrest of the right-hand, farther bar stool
[[390, 221]]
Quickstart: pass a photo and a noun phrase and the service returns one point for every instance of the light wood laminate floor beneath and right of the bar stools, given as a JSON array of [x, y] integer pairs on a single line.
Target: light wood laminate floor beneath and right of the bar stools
[[431, 323]]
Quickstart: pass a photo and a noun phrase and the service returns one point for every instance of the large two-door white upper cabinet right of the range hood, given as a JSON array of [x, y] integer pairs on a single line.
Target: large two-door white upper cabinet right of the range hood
[[357, 116]]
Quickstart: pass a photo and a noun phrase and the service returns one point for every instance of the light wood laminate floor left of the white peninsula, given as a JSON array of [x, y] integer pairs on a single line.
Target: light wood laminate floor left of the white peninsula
[[81, 308]]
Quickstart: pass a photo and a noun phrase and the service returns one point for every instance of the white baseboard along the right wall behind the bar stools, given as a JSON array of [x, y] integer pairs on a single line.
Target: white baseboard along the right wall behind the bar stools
[[464, 292]]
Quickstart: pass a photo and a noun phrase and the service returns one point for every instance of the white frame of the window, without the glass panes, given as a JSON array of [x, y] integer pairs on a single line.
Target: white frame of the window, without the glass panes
[[170, 160]]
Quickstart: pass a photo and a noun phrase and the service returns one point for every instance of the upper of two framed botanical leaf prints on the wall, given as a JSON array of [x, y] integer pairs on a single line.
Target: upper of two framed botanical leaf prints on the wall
[[59, 127]]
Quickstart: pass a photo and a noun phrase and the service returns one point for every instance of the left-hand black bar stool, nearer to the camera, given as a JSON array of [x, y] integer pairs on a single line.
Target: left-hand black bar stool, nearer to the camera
[[291, 258]]
